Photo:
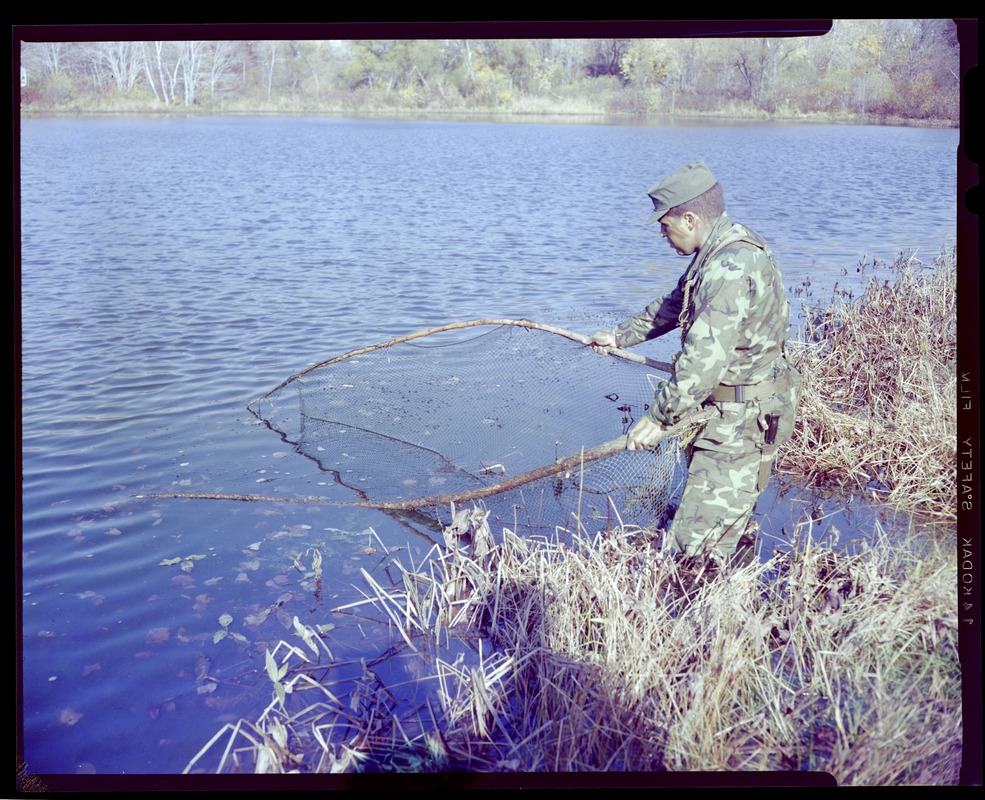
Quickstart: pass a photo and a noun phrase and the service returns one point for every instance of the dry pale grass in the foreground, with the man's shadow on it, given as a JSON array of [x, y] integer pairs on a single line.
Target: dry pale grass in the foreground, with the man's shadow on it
[[607, 658]]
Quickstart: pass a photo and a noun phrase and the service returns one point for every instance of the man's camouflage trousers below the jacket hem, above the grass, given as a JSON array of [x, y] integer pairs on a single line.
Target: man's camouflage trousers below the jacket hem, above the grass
[[719, 498]]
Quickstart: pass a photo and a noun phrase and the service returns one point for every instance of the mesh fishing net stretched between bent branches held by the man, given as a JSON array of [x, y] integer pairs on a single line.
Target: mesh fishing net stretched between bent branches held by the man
[[518, 416]]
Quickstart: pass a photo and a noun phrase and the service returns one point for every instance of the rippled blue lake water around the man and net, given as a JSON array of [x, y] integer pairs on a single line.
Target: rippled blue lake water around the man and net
[[175, 269]]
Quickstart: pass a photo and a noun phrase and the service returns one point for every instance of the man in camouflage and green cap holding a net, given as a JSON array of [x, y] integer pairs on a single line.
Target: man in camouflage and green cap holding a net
[[732, 310]]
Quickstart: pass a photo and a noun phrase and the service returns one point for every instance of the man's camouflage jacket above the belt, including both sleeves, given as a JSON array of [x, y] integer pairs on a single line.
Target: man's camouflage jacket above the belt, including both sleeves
[[734, 317]]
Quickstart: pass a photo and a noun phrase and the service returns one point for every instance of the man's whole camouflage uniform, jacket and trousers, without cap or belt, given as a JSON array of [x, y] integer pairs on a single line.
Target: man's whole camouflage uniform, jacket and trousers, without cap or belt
[[732, 309]]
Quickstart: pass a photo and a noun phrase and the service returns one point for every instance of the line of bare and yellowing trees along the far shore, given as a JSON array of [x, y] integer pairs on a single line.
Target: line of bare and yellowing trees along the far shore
[[907, 69]]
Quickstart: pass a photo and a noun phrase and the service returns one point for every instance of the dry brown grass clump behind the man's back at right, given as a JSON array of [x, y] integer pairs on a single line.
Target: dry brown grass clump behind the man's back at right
[[879, 409]]
